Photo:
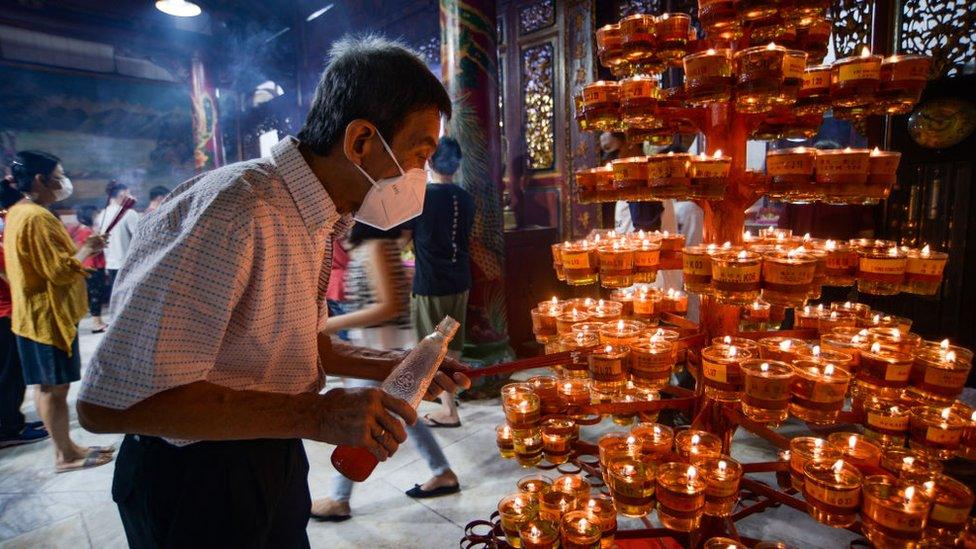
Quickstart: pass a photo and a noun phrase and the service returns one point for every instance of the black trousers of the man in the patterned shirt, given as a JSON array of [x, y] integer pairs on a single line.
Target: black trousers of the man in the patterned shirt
[[212, 494]]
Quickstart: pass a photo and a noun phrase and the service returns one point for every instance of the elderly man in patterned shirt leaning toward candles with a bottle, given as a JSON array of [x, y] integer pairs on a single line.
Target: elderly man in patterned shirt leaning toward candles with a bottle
[[214, 362]]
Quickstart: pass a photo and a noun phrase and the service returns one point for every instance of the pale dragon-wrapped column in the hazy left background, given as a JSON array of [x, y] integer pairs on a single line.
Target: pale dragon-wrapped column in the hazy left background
[[208, 149]]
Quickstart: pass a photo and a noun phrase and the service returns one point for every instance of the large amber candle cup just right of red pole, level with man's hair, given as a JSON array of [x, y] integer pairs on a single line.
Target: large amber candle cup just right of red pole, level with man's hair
[[760, 71]]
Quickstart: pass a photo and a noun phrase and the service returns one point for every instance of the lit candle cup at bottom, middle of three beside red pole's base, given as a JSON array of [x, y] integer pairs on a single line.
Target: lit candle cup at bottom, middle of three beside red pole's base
[[680, 496]]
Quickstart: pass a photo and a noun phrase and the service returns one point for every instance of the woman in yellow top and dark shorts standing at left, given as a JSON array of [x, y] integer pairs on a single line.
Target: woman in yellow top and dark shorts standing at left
[[47, 285]]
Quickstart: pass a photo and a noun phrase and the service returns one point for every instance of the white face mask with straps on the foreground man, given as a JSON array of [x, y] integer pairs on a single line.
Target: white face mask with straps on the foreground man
[[394, 200]]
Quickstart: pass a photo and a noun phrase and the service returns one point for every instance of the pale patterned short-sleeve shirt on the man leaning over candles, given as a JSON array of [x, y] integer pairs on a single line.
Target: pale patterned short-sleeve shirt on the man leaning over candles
[[225, 283]]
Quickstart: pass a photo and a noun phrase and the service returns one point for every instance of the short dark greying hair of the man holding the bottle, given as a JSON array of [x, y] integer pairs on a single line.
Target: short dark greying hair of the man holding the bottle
[[374, 79]]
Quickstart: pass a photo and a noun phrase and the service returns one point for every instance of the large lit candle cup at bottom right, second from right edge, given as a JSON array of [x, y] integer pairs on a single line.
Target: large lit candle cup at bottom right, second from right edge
[[893, 515]]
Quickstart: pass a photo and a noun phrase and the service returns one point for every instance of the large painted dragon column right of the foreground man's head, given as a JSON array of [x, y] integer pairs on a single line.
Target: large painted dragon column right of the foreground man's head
[[469, 69]]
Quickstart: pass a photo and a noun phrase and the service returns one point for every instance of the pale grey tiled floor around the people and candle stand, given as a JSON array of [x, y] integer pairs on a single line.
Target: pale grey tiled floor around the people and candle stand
[[41, 509]]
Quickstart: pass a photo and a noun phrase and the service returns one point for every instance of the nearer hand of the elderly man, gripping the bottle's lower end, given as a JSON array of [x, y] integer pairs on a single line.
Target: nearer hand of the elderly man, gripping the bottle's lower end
[[363, 418]]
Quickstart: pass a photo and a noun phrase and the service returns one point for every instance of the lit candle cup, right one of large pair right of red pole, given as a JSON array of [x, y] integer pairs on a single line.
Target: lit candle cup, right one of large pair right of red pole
[[818, 392]]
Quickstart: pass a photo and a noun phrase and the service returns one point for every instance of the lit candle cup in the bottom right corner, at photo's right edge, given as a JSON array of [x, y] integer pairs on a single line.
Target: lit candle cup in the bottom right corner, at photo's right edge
[[952, 502]]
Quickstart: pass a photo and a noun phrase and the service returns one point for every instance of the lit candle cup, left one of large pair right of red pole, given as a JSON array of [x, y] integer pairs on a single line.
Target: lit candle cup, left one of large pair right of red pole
[[766, 390]]
